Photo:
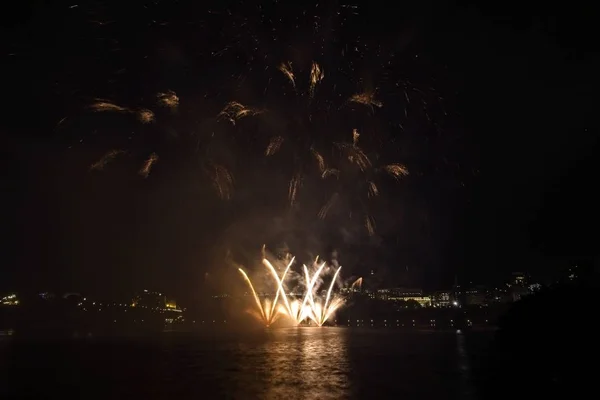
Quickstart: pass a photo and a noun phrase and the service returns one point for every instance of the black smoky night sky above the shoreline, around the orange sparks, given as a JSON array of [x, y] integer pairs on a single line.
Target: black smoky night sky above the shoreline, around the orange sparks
[[498, 139]]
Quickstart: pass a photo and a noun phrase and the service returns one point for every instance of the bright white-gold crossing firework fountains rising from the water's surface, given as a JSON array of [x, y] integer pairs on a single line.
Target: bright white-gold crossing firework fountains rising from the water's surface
[[311, 307]]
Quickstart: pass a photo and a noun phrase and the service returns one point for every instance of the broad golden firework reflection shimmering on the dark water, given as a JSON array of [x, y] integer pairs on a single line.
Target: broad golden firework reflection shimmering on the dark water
[[310, 363]]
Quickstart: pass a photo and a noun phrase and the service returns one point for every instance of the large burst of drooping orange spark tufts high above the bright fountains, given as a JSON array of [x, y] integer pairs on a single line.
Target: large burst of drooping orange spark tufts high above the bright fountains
[[307, 139]]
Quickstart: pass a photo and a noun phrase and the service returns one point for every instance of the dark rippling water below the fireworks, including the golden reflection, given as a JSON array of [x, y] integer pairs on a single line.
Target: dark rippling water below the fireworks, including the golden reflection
[[295, 363]]
